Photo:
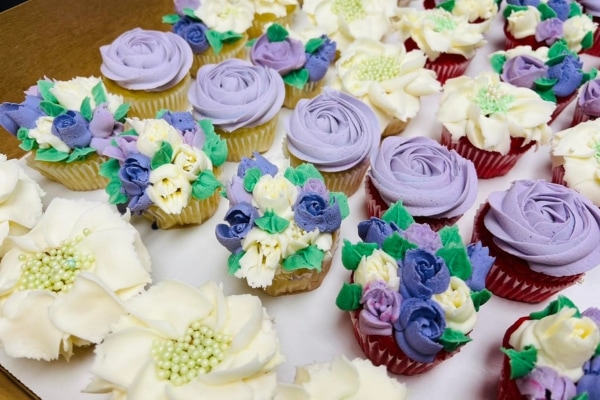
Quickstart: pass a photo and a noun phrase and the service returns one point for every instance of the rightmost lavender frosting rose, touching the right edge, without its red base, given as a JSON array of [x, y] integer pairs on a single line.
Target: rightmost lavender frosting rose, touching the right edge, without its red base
[[552, 227]]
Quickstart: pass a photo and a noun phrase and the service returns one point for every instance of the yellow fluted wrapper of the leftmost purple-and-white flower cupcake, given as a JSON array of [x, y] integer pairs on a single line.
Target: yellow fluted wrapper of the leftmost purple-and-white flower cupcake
[[77, 175]]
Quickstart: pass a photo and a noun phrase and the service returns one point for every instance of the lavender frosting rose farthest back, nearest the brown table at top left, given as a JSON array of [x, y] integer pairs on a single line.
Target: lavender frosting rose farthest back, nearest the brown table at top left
[[146, 60]]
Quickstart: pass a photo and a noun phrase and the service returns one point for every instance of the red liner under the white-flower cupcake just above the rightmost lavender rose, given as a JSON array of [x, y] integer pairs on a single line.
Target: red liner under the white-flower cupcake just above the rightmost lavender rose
[[488, 164]]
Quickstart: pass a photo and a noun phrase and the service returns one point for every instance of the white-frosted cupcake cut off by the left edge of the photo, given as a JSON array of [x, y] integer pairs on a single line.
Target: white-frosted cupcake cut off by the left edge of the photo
[[20, 202]]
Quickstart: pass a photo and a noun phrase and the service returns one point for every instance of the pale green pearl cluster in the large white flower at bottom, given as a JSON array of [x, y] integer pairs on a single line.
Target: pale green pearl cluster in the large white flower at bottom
[[195, 353]]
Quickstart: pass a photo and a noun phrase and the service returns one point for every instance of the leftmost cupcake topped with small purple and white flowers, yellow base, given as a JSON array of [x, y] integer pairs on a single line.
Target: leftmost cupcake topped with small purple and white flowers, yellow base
[[66, 125]]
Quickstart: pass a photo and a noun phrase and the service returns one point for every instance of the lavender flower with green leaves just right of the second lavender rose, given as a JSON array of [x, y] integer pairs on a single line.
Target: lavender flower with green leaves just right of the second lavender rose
[[284, 56]]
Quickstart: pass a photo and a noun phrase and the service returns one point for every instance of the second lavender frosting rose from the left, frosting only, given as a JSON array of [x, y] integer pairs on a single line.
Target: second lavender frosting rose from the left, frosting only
[[236, 94]]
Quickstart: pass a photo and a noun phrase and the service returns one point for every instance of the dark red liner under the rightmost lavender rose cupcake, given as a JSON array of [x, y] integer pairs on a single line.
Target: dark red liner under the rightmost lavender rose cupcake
[[510, 276]]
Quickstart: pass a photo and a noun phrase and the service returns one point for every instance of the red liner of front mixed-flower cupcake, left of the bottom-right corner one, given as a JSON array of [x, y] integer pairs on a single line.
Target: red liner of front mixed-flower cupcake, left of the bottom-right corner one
[[383, 350]]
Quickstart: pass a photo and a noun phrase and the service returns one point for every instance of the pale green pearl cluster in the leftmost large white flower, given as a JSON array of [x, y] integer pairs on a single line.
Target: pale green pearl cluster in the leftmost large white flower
[[54, 269]]
